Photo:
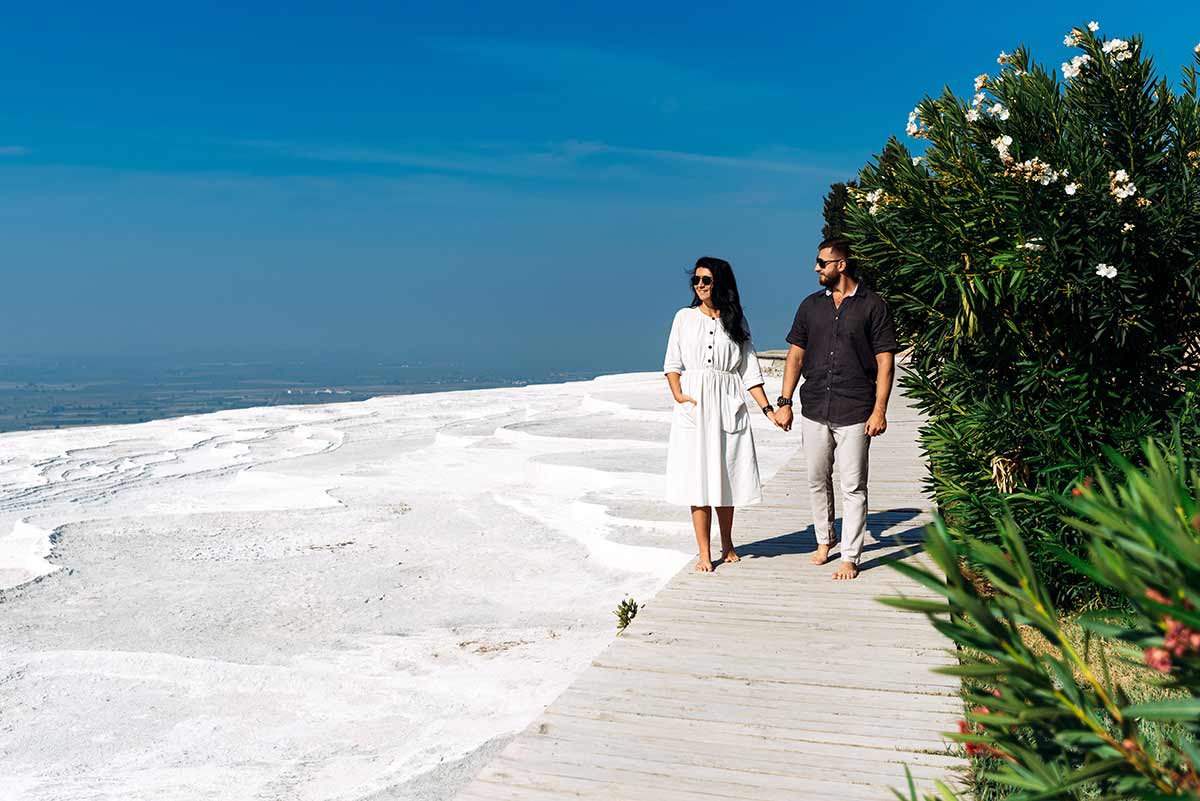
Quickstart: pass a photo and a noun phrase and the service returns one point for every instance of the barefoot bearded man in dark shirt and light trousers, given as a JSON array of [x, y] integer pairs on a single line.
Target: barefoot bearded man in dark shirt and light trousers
[[844, 344]]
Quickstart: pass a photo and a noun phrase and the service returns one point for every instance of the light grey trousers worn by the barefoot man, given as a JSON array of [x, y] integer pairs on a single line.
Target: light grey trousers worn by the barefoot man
[[850, 447]]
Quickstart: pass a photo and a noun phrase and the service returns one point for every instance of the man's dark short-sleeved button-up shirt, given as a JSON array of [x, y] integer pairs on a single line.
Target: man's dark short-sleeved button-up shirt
[[839, 354]]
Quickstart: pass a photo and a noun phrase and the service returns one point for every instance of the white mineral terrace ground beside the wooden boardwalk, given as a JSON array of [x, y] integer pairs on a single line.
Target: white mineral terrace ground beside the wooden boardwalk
[[321, 603]]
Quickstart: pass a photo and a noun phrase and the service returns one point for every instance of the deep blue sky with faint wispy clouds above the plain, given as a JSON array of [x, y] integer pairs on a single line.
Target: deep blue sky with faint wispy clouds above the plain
[[495, 184]]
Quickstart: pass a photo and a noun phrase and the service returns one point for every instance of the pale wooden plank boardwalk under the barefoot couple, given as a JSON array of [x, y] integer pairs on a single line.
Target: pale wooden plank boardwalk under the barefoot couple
[[765, 680]]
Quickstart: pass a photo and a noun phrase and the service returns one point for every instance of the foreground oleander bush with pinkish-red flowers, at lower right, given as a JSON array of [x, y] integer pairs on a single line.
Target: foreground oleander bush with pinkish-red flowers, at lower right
[[1108, 706]]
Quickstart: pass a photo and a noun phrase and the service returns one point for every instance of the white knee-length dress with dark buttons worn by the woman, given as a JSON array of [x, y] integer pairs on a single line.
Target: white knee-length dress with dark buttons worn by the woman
[[711, 460]]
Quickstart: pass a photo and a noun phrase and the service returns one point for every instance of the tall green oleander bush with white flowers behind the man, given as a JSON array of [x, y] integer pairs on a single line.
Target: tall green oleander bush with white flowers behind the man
[[1040, 256]]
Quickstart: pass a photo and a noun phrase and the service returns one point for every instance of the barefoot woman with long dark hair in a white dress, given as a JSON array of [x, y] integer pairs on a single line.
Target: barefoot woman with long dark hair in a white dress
[[710, 365]]
